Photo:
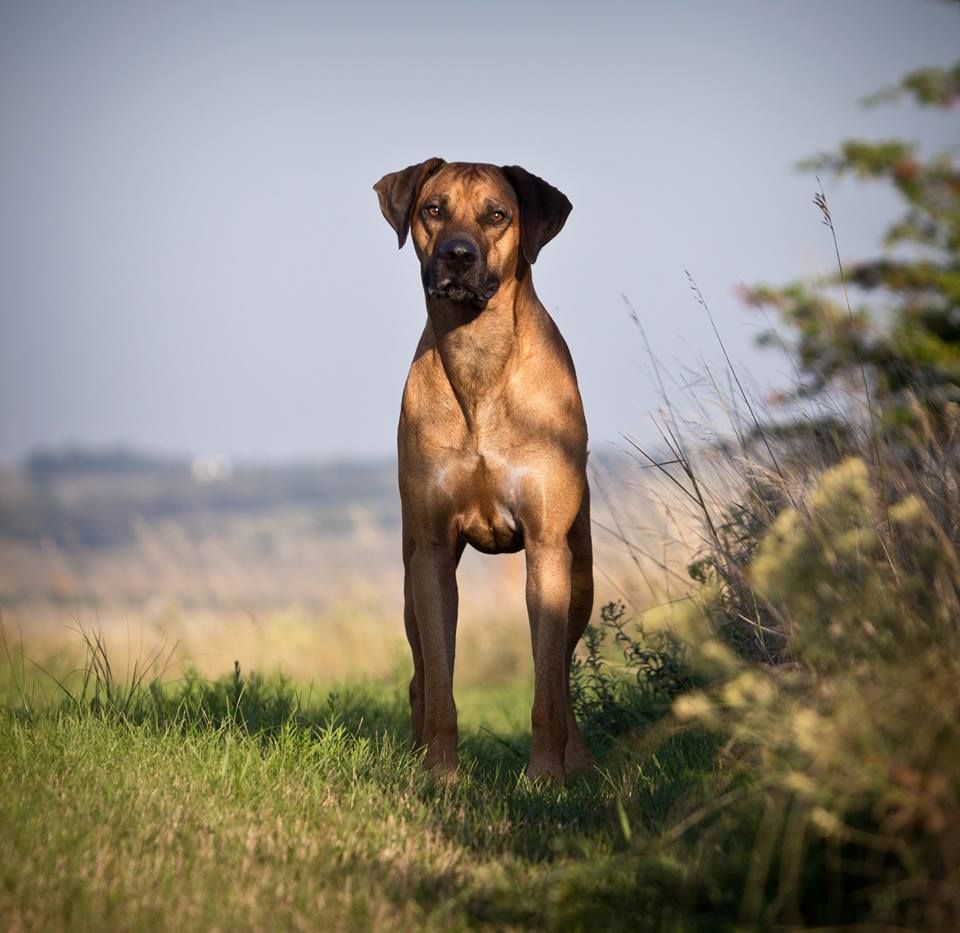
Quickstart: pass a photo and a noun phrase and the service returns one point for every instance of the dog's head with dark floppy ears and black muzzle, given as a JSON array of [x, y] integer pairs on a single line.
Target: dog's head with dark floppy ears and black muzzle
[[474, 225]]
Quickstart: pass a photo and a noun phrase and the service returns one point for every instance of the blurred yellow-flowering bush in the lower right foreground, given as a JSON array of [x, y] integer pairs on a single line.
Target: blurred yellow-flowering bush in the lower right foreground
[[853, 751]]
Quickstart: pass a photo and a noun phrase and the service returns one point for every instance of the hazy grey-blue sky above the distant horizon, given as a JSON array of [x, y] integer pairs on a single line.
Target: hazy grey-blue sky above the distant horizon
[[192, 260]]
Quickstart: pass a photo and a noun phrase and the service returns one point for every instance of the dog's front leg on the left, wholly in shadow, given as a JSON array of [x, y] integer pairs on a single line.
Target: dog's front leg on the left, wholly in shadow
[[433, 570]]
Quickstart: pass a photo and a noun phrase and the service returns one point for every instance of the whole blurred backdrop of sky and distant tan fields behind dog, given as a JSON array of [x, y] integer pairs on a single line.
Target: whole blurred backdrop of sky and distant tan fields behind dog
[[205, 323]]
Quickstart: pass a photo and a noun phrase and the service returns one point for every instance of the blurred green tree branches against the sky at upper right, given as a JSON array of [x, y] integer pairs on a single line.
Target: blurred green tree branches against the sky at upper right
[[902, 332]]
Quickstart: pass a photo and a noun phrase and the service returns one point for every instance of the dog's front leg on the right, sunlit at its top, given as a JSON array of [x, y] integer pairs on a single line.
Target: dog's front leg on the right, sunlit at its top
[[548, 604]]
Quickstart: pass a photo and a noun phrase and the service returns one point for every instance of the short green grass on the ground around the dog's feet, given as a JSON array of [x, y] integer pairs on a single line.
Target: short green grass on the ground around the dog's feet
[[243, 805]]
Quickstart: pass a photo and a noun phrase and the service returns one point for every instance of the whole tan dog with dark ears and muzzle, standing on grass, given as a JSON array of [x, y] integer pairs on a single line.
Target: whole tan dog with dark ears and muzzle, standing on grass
[[492, 441]]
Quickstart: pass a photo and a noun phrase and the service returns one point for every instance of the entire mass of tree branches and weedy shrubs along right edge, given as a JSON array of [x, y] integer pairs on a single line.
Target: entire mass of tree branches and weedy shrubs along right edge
[[826, 617]]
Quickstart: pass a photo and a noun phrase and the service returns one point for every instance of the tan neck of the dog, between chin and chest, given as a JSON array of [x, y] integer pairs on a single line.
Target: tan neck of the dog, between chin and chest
[[474, 344]]
